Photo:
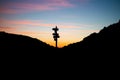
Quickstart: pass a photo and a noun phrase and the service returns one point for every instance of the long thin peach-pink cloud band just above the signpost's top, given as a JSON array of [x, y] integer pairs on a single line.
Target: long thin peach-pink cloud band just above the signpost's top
[[34, 23]]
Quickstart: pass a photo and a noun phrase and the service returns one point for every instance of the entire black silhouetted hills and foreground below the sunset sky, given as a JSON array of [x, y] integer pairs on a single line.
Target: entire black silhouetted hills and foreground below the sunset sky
[[97, 53]]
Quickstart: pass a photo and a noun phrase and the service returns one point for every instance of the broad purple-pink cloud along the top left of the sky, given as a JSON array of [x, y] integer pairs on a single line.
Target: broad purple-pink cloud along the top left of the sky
[[42, 5]]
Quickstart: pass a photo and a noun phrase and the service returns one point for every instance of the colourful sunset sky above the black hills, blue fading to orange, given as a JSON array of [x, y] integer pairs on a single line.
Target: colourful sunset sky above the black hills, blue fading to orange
[[75, 19]]
